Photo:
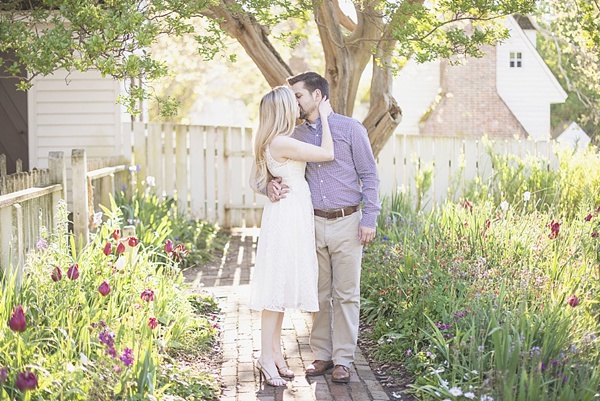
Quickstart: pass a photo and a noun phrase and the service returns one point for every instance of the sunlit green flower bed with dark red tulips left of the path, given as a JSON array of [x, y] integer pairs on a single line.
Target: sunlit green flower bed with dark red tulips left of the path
[[83, 344]]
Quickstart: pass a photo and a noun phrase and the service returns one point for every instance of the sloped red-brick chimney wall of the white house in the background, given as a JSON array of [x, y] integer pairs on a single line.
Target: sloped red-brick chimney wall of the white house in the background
[[470, 105]]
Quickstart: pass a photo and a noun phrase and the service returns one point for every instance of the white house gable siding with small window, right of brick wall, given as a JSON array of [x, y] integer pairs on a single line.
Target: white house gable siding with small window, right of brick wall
[[529, 90]]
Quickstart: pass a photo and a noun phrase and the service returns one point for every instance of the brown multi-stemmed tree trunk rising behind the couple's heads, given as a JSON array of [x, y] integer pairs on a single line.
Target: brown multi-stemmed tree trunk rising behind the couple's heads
[[346, 58]]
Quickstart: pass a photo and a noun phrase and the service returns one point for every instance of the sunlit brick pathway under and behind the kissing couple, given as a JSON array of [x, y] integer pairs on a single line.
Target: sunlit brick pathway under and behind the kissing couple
[[228, 279]]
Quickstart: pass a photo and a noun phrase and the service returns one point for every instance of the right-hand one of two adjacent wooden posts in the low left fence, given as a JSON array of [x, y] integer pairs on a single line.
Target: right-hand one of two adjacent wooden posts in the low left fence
[[81, 216]]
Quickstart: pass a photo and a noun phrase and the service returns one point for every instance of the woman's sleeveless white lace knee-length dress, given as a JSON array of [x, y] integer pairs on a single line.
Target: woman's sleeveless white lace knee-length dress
[[285, 272]]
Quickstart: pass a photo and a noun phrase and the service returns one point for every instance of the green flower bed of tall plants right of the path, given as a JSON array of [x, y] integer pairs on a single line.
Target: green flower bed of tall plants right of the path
[[476, 298]]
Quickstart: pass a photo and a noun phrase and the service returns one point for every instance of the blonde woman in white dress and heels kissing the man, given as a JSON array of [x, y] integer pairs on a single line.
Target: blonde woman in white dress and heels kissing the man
[[285, 272]]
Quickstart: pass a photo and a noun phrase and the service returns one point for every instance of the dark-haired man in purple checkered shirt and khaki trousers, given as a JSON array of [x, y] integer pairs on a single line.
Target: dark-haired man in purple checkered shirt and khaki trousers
[[338, 188]]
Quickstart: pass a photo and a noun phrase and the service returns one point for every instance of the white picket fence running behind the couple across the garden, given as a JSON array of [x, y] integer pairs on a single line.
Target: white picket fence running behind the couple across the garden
[[210, 167]]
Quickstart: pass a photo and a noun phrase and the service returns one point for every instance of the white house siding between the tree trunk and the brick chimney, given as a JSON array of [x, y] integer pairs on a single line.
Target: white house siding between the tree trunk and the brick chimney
[[415, 89]]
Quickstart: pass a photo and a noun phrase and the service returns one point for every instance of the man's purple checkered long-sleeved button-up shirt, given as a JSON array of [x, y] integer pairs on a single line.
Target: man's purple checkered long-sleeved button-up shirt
[[337, 183]]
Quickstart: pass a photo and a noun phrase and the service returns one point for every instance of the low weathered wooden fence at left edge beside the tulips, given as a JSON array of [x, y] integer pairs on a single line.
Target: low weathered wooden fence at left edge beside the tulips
[[29, 201]]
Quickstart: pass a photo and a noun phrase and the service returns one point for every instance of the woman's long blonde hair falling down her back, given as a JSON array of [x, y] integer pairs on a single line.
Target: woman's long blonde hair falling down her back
[[276, 116]]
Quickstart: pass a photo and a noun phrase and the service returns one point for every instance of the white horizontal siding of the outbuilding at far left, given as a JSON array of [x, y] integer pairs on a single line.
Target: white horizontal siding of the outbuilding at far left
[[76, 110]]
